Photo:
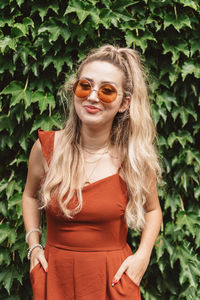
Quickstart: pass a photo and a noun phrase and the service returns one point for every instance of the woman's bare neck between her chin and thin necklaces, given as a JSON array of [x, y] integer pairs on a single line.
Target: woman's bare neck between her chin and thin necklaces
[[94, 139]]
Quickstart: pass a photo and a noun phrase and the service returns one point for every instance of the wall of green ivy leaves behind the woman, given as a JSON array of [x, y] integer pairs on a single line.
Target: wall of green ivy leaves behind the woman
[[40, 44]]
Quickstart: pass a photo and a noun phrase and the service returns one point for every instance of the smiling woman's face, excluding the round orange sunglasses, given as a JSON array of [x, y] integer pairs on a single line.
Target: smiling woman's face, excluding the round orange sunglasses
[[91, 111]]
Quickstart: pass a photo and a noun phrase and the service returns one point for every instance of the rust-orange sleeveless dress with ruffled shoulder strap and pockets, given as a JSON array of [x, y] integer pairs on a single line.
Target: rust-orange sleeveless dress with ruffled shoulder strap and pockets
[[84, 254]]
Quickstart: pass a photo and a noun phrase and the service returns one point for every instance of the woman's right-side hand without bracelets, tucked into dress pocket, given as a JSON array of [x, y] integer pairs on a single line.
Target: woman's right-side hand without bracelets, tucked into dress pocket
[[135, 266]]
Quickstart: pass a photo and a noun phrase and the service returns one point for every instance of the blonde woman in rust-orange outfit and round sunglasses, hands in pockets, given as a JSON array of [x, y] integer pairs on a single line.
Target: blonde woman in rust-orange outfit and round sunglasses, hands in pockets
[[96, 178]]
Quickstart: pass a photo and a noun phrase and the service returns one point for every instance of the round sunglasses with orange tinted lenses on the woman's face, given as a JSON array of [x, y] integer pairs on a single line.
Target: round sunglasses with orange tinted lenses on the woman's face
[[107, 93]]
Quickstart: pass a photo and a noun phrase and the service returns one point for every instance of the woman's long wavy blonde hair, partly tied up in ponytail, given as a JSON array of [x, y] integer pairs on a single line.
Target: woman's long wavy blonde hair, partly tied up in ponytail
[[132, 133]]
